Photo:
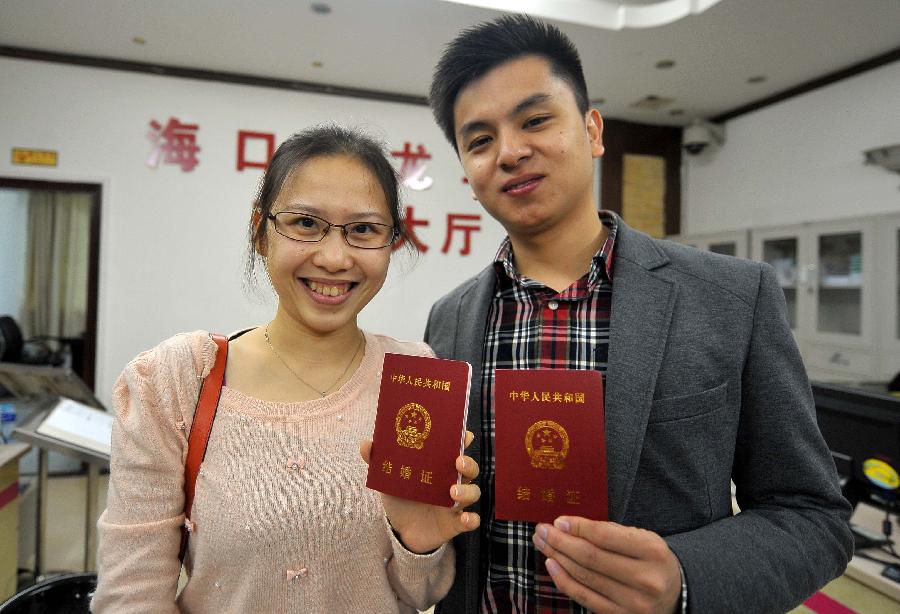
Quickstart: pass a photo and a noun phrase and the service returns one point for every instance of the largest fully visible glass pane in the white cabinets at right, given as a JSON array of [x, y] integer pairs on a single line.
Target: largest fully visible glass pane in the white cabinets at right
[[840, 266]]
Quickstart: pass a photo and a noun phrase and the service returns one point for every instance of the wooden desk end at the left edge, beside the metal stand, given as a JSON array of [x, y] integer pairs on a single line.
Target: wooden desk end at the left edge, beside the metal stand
[[9, 515]]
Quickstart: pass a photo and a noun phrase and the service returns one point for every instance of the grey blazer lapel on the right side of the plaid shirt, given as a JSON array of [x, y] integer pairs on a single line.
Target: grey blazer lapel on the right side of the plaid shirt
[[642, 305]]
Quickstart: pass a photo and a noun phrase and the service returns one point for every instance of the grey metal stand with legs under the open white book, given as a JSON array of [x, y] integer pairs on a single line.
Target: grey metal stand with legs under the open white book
[[28, 433]]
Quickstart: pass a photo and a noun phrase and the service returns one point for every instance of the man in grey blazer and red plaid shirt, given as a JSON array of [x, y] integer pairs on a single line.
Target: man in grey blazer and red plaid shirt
[[703, 382]]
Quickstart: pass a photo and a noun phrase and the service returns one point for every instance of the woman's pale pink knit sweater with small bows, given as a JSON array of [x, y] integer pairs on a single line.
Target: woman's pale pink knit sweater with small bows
[[284, 522]]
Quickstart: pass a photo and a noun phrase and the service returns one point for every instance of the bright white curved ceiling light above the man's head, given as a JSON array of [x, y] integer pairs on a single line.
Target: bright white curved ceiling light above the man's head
[[608, 14]]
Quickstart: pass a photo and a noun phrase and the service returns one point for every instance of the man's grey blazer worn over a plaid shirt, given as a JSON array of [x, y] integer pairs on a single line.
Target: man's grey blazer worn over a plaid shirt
[[704, 385]]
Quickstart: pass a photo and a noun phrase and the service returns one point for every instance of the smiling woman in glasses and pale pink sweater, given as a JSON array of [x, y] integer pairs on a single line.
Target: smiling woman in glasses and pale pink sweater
[[281, 519]]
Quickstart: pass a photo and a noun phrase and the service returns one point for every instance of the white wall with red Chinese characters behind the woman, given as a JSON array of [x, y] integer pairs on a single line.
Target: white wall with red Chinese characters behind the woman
[[172, 243]]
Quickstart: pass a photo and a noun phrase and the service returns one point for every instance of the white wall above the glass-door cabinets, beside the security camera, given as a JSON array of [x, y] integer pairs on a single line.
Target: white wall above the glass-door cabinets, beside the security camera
[[800, 160]]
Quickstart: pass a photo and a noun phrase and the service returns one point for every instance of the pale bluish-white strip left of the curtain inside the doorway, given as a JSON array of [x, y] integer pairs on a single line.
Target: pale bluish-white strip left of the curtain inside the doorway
[[13, 242]]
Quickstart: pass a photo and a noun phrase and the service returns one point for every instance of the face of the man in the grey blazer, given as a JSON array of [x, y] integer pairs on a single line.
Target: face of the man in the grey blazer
[[526, 148]]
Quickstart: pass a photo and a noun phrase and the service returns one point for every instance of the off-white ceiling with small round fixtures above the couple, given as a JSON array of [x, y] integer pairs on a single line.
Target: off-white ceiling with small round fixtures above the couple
[[392, 45]]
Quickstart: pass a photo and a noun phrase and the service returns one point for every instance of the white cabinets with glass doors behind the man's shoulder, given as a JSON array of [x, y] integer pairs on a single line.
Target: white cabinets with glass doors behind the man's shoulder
[[841, 283]]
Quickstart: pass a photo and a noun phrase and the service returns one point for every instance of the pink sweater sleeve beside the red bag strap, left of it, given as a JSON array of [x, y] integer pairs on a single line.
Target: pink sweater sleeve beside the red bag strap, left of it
[[140, 530]]
